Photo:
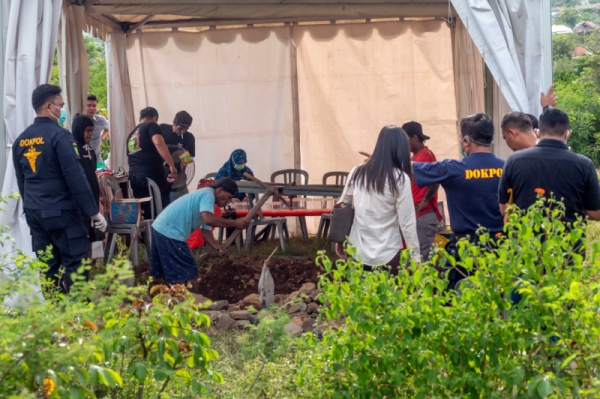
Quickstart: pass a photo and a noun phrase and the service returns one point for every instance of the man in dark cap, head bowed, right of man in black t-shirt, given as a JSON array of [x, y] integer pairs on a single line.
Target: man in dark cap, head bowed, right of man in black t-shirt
[[177, 135]]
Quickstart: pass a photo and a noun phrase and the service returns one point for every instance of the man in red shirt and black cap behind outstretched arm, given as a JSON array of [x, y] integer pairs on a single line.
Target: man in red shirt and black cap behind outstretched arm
[[425, 198]]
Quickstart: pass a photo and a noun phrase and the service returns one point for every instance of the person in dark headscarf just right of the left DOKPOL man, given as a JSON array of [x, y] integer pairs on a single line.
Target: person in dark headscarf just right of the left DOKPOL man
[[83, 128]]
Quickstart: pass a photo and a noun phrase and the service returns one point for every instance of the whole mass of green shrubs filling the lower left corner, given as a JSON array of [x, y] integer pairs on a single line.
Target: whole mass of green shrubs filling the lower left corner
[[103, 339]]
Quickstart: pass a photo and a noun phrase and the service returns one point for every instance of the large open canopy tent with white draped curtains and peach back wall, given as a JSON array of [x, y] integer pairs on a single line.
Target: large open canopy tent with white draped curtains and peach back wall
[[300, 83]]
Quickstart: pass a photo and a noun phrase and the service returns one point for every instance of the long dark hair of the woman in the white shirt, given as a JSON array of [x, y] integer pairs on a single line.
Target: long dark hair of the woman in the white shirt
[[392, 154]]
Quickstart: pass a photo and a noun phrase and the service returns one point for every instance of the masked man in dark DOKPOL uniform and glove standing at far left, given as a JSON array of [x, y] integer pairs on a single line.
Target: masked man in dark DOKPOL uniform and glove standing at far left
[[53, 187]]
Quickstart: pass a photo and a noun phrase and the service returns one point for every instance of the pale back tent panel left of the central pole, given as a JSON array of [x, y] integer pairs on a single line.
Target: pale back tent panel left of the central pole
[[236, 84]]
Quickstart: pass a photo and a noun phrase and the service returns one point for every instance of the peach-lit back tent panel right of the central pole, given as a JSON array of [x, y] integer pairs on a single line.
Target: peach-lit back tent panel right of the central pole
[[356, 79]]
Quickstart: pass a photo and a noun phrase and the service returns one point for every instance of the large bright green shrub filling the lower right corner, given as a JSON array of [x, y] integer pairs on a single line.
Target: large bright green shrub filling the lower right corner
[[406, 336]]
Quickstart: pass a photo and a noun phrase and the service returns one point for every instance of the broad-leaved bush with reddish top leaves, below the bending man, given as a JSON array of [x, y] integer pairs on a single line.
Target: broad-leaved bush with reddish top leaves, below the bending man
[[159, 340]]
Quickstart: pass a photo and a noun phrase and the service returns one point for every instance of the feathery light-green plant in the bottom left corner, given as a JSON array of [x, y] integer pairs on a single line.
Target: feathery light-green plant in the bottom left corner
[[46, 346]]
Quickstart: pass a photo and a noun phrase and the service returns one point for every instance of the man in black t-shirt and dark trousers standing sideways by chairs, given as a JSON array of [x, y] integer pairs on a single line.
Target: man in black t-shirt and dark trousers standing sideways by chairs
[[146, 152]]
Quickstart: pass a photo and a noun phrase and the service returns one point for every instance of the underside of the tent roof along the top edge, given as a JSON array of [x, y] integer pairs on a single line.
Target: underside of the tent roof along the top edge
[[113, 13]]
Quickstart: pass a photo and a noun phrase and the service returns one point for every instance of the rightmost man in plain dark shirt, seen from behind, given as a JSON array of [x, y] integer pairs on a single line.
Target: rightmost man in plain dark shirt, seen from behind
[[551, 169]]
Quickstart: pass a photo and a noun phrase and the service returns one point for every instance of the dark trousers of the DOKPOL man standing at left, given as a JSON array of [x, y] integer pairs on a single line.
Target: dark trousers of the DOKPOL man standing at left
[[65, 233]]
